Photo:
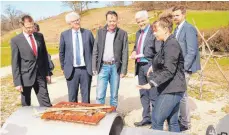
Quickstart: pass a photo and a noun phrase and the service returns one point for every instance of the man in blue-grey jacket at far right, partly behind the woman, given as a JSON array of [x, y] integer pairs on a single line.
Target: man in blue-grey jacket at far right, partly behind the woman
[[187, 36]]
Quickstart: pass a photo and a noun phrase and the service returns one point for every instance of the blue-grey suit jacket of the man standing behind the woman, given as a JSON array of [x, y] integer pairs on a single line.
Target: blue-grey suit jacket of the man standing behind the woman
[[188, 40]]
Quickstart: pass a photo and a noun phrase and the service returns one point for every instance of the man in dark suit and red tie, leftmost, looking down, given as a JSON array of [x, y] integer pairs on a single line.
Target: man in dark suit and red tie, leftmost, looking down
[[30, 64]]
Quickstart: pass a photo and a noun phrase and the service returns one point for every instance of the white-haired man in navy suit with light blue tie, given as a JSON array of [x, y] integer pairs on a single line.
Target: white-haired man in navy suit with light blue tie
[[75, 54]]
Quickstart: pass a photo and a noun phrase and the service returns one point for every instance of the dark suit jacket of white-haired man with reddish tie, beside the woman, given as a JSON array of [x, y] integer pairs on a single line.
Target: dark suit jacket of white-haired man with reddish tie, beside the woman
[[150, 48]]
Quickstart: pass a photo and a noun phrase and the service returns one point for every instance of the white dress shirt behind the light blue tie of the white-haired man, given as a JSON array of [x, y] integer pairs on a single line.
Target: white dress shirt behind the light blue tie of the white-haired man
[[82, 62]]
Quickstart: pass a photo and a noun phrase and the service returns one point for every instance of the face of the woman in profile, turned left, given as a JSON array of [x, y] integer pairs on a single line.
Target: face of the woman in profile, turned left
[[159, 32]]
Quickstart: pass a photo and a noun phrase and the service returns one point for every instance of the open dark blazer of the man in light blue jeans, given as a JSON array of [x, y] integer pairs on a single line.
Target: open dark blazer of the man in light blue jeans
[[120, 50]]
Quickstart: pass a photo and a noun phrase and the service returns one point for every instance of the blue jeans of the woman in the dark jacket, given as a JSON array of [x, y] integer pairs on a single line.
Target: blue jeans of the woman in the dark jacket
[[167, 107]]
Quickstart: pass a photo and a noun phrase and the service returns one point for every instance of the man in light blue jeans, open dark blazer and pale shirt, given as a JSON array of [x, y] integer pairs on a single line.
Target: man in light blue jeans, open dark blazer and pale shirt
[[110, 58]]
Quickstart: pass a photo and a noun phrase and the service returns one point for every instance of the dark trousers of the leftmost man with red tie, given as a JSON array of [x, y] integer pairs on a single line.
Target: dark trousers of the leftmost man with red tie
[[40, 88]]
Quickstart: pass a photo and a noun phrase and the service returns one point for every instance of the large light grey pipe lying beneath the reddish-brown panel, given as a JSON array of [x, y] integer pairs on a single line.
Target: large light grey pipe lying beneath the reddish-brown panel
[[24, 122]]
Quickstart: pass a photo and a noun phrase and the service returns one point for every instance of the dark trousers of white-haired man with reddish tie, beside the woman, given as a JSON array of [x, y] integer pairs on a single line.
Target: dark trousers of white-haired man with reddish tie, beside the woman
[[148, 97]]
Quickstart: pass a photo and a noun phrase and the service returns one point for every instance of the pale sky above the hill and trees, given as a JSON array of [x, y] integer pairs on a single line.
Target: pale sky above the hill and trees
[[41, 9]]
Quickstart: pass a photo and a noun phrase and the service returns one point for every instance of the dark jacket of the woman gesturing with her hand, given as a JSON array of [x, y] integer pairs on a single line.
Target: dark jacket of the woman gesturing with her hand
[[168, 68]]
